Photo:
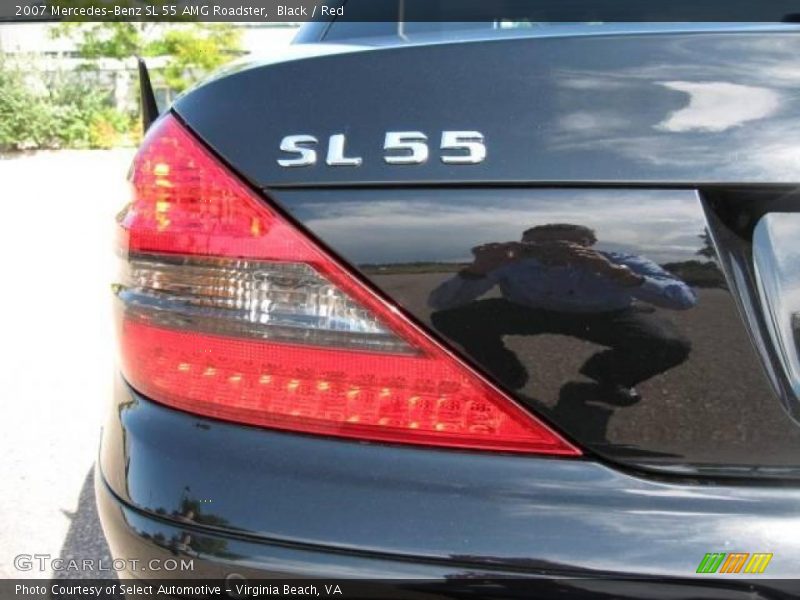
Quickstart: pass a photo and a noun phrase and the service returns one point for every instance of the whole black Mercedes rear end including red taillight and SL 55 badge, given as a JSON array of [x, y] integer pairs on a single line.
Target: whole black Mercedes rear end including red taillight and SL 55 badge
[[481, 308]]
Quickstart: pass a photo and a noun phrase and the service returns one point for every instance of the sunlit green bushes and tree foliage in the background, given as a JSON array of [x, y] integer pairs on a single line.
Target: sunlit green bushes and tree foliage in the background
[[76, 111]]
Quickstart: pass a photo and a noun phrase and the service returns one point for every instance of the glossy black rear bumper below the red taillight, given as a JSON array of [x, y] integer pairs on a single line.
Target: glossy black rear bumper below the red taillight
[[297, 504]]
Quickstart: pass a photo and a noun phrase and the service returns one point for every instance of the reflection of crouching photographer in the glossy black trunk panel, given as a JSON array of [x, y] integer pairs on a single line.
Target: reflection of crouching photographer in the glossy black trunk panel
[[554, 282]]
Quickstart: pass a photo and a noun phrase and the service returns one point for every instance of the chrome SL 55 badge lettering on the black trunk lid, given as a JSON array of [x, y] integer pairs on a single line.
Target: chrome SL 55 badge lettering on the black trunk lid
[[399, 148]]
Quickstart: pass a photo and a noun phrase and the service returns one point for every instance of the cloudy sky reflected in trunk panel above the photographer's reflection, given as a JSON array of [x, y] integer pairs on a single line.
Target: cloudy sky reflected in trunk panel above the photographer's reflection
[[425, 225]]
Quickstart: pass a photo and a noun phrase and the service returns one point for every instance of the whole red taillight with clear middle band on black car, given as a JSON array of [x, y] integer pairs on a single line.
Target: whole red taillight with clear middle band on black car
[[229, 311]]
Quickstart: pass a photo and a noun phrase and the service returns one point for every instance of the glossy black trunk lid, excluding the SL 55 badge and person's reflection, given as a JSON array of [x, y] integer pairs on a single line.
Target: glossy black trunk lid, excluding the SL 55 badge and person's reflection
[[662, 121]]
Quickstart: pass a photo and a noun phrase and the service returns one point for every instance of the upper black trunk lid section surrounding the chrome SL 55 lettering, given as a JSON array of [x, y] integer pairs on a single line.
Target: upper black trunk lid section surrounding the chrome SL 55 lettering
[[671, 108]]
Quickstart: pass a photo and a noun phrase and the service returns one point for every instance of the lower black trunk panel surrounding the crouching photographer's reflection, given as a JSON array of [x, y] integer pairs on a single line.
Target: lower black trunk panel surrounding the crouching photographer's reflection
[[715, 409]]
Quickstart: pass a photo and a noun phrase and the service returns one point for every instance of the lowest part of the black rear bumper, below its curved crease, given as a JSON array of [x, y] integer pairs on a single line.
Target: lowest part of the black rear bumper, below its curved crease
[[229, 558]]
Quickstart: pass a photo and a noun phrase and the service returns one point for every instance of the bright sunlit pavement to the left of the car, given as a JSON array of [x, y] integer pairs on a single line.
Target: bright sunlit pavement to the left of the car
[[56, 360]]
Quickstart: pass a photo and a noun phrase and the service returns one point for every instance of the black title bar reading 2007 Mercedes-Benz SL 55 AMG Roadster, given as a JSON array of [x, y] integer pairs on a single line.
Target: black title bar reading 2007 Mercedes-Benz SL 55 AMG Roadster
[[513, 11]]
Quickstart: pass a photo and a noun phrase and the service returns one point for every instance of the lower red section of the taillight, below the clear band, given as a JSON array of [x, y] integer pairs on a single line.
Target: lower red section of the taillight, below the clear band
[[320, 390]]
